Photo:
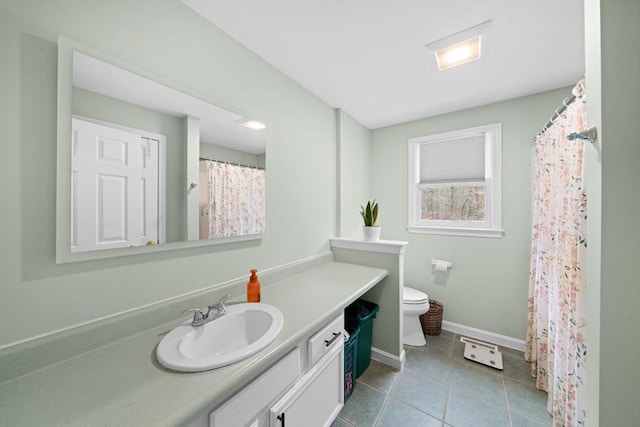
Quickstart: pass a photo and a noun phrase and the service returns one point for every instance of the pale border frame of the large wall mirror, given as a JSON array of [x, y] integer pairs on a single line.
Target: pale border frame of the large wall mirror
[[66, 47]]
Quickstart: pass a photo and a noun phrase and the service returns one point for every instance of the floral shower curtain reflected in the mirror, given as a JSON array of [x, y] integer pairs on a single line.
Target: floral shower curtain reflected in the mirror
[[236, 200]]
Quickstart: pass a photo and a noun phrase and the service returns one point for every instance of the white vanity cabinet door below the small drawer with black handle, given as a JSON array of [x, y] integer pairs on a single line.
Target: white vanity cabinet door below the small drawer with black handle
[[317, 398]]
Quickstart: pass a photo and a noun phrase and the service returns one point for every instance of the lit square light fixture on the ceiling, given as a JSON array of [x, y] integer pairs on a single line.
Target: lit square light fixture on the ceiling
[[462, 47]]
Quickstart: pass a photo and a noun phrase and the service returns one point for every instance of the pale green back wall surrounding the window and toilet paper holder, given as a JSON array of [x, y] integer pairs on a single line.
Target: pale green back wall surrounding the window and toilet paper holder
[[487, 286]]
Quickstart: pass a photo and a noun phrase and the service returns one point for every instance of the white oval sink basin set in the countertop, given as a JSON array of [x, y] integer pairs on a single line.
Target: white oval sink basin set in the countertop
[[246, 329]]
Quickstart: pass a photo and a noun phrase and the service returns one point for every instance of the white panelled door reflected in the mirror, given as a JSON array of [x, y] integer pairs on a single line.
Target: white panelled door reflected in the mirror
[[115, 187]]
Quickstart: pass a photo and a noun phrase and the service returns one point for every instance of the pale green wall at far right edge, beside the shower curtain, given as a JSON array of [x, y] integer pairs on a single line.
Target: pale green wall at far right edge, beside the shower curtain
[[613, 178]]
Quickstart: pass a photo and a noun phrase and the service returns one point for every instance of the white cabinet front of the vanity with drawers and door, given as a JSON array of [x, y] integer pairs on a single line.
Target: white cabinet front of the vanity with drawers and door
[[305, 388]]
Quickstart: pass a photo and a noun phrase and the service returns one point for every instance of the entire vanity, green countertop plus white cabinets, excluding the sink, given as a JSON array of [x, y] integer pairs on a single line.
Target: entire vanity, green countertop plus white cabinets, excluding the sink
[[122, 383]]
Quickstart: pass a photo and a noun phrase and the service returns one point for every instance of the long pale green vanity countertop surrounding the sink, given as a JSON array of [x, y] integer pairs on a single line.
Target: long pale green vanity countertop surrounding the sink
[[122, 384]]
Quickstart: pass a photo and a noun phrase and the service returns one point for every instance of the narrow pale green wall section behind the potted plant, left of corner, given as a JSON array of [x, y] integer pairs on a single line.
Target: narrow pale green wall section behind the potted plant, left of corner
[[354, 168]]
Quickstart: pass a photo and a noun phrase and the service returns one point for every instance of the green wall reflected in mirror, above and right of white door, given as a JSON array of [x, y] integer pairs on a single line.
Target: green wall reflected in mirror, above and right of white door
[[94, 105]]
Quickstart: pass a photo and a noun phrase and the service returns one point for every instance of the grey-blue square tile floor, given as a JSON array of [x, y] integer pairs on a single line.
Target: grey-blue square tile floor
[[438, 387]]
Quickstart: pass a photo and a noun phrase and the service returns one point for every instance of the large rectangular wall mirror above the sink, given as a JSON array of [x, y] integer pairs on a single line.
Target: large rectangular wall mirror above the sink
[[145, 167]]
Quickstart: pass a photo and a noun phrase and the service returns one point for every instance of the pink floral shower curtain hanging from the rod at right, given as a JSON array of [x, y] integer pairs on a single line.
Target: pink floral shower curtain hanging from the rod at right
[[555, 343]]
